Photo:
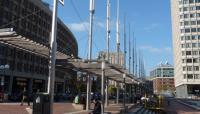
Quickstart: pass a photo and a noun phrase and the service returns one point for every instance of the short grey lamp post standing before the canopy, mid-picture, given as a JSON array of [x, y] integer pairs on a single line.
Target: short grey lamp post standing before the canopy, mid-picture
[[102, 86]]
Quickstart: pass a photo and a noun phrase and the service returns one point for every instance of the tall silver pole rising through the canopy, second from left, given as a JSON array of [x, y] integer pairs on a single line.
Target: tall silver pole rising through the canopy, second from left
[[90, 54]]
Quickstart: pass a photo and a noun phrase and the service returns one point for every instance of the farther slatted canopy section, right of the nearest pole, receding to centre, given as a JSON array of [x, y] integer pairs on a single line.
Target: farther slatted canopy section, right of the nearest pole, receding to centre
[[112, 71]]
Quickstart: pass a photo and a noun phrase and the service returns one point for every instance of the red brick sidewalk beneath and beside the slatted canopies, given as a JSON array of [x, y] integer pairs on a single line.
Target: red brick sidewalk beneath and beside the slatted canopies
[[59, 108]]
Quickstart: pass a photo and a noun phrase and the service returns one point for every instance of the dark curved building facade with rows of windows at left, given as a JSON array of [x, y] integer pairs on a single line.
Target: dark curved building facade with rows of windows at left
[[31, 19]]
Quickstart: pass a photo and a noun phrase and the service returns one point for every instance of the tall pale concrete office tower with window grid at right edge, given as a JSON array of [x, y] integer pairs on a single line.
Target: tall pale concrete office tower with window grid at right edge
[[186, 44]]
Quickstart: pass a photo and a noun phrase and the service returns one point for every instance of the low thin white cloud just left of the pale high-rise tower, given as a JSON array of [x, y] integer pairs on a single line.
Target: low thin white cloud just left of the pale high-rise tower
[[155, 49]]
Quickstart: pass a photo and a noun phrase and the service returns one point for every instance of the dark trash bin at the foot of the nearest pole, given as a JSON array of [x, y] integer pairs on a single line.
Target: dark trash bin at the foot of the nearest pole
[[41, 103]]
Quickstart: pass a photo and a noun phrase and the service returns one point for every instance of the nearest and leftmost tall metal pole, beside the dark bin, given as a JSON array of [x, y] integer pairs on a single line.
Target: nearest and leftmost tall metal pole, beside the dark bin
[[53, 48]]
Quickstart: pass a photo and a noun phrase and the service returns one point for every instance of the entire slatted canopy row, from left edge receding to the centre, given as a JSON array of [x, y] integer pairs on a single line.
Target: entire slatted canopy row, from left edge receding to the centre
[[112, 71]]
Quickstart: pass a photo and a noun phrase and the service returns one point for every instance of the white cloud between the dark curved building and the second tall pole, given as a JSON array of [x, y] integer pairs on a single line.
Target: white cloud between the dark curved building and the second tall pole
[[79, 27]]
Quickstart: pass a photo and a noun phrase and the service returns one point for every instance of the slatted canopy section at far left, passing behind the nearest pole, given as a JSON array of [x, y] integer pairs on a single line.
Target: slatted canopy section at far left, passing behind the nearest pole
[[10, 37]]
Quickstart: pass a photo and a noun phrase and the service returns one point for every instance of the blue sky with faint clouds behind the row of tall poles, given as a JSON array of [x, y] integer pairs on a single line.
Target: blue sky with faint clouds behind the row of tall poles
[[150, 21]]
